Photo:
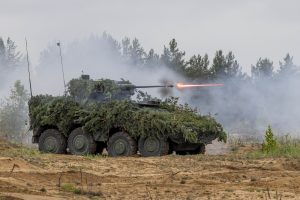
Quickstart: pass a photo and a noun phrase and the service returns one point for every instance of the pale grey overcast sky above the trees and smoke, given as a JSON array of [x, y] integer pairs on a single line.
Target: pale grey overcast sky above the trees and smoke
[[249, 28]]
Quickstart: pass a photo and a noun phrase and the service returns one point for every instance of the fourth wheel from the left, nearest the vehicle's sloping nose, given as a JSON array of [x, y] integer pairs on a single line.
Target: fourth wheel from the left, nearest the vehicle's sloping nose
[[153, 146]]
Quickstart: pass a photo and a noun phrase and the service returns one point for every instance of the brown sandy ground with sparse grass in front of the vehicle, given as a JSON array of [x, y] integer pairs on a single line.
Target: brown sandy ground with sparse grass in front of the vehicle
[[229, 176]]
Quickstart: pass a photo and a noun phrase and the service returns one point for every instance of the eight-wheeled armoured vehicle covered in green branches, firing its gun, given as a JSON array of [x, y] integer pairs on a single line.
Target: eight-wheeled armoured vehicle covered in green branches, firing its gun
[[98, 114]]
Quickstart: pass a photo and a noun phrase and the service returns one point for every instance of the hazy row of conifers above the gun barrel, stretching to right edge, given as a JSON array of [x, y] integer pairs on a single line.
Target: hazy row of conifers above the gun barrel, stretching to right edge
[[198, 67]]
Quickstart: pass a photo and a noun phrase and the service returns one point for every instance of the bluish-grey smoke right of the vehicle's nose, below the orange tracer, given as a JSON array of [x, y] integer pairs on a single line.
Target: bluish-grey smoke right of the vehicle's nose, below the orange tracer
[[247, 108]]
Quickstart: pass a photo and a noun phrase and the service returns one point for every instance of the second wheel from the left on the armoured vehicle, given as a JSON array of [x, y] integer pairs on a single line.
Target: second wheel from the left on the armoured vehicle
[[81, 143]]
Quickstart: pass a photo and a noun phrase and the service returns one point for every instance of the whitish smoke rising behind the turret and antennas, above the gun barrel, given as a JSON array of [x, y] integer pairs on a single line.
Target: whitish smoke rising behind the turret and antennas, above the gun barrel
[[93, 56]]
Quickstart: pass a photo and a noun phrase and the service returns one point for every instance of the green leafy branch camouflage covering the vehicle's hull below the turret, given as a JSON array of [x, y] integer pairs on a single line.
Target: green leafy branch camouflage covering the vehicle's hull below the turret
[[167, 119]]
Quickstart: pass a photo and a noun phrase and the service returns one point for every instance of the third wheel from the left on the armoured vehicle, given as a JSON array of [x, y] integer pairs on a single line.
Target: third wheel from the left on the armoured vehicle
[[121, 144]]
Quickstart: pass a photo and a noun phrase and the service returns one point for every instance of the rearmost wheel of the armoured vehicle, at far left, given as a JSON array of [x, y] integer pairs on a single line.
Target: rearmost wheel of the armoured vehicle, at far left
[[52, 141]]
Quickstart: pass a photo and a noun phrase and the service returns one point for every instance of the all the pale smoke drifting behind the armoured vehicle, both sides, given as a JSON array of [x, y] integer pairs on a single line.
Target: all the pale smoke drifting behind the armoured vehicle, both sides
[[246, 107]]
